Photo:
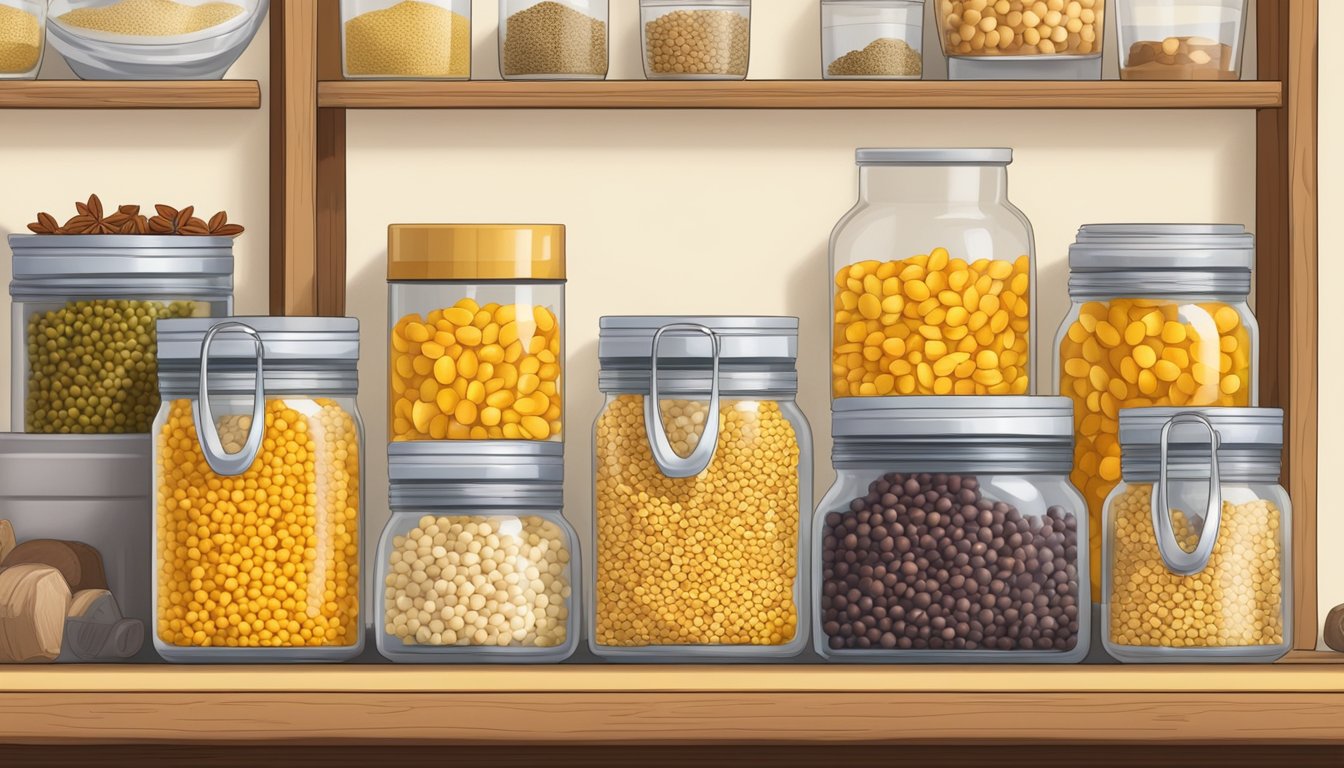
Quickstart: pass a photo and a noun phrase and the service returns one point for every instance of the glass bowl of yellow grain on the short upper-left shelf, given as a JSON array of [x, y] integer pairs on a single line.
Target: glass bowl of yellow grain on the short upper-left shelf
[[134, 40]]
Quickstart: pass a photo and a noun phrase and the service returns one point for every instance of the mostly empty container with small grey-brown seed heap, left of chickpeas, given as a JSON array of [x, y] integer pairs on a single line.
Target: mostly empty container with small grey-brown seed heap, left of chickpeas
[[872, 40]]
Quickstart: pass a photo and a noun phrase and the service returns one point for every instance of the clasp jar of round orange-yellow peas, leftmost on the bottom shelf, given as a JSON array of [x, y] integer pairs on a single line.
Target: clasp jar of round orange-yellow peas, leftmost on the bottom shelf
[[259, 469]]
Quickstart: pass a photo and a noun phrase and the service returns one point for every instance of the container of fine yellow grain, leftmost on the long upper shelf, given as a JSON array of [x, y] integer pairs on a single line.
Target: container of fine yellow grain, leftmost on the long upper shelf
[[407, 40]]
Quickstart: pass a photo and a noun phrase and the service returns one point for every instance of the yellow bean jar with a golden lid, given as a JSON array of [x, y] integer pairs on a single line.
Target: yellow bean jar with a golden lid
[[478, 332]]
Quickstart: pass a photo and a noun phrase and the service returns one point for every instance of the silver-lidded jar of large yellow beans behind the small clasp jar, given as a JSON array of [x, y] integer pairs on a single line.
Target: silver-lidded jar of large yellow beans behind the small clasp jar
[[1159, 318]]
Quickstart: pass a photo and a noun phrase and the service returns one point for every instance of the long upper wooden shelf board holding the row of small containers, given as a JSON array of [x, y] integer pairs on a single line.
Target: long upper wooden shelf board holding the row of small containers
[[798, 95]]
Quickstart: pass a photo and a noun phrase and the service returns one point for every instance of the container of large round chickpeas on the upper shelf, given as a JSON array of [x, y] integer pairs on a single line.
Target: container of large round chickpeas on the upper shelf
[[1061, 40]]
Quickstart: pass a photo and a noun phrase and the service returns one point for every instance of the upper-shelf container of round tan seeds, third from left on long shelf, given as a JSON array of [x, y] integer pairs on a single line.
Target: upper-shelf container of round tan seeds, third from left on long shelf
[[697, 40]]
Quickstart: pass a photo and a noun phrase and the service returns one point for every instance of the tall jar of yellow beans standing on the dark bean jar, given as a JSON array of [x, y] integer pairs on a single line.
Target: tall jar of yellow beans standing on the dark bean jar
[[933, 278]]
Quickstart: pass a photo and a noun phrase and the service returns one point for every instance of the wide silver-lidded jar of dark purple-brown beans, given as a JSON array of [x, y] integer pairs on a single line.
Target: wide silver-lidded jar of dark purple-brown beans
[[952, 535]]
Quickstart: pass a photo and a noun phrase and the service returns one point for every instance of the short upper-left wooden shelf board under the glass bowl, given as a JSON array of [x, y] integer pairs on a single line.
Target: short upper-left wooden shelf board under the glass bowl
[[131, 95]]
